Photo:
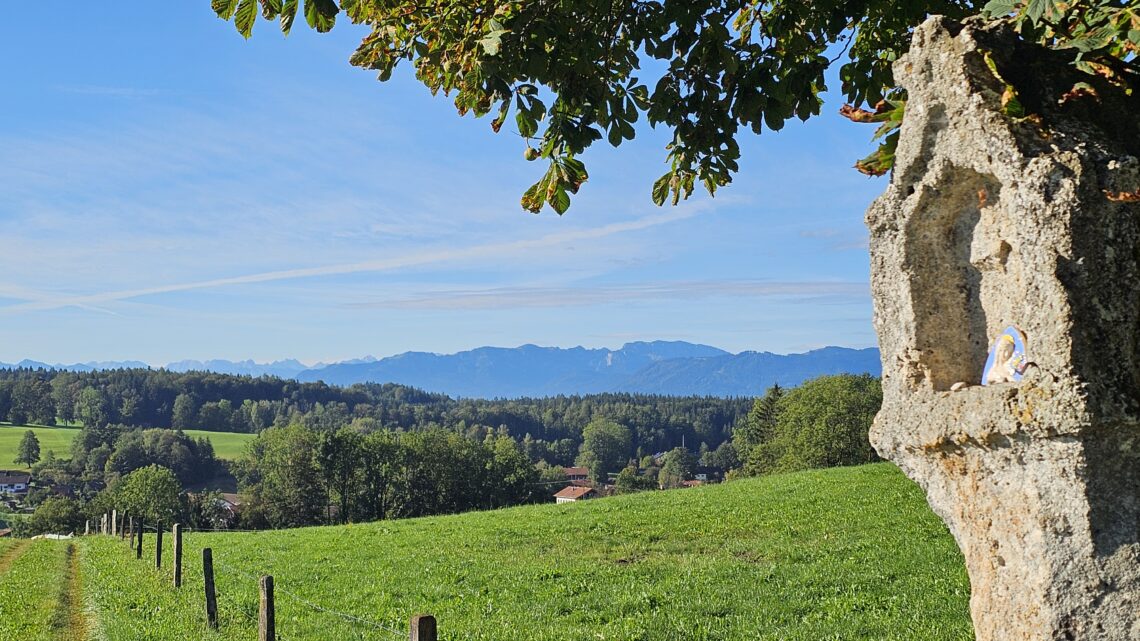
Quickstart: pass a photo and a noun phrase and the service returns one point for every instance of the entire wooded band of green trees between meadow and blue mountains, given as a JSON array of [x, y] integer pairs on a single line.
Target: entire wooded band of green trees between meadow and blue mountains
[[328, 455]]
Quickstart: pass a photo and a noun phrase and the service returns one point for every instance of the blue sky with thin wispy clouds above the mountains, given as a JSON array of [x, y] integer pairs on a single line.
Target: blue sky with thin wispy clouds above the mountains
[[172, 191]]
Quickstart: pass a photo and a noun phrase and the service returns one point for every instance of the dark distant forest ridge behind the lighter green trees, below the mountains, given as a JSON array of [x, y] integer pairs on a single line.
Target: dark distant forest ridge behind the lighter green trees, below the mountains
[[201, 401]]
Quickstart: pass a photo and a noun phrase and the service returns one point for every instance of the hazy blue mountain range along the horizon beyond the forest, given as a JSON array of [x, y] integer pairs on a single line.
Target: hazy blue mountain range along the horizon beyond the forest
[[665, 368]]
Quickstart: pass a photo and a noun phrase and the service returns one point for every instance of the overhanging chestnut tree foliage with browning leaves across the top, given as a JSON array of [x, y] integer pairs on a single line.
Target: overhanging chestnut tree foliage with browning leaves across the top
[[567, 74]]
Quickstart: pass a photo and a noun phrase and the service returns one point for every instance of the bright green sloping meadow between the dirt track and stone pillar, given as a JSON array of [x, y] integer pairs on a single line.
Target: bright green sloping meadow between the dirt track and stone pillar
[[836, 555]]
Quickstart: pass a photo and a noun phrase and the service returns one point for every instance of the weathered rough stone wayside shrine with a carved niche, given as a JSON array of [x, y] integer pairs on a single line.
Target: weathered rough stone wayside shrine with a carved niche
[[991, 222]]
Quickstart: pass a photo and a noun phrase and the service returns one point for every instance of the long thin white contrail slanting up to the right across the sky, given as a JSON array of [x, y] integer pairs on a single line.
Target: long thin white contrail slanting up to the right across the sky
[[38, 303]]
